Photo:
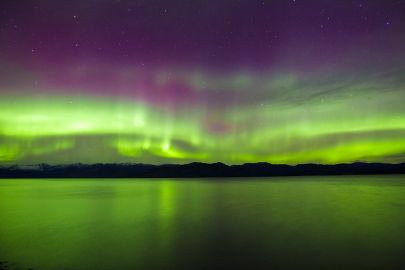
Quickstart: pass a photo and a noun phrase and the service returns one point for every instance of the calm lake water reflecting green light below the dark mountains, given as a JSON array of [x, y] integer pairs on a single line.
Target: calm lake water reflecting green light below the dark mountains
[[323, 222]]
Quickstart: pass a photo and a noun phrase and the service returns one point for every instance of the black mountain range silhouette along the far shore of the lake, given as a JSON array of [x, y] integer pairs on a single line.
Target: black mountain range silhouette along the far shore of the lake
[[194, 169]]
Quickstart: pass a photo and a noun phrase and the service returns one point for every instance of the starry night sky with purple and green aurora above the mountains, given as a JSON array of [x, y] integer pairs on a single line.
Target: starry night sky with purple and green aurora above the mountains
[[290, 81]]
